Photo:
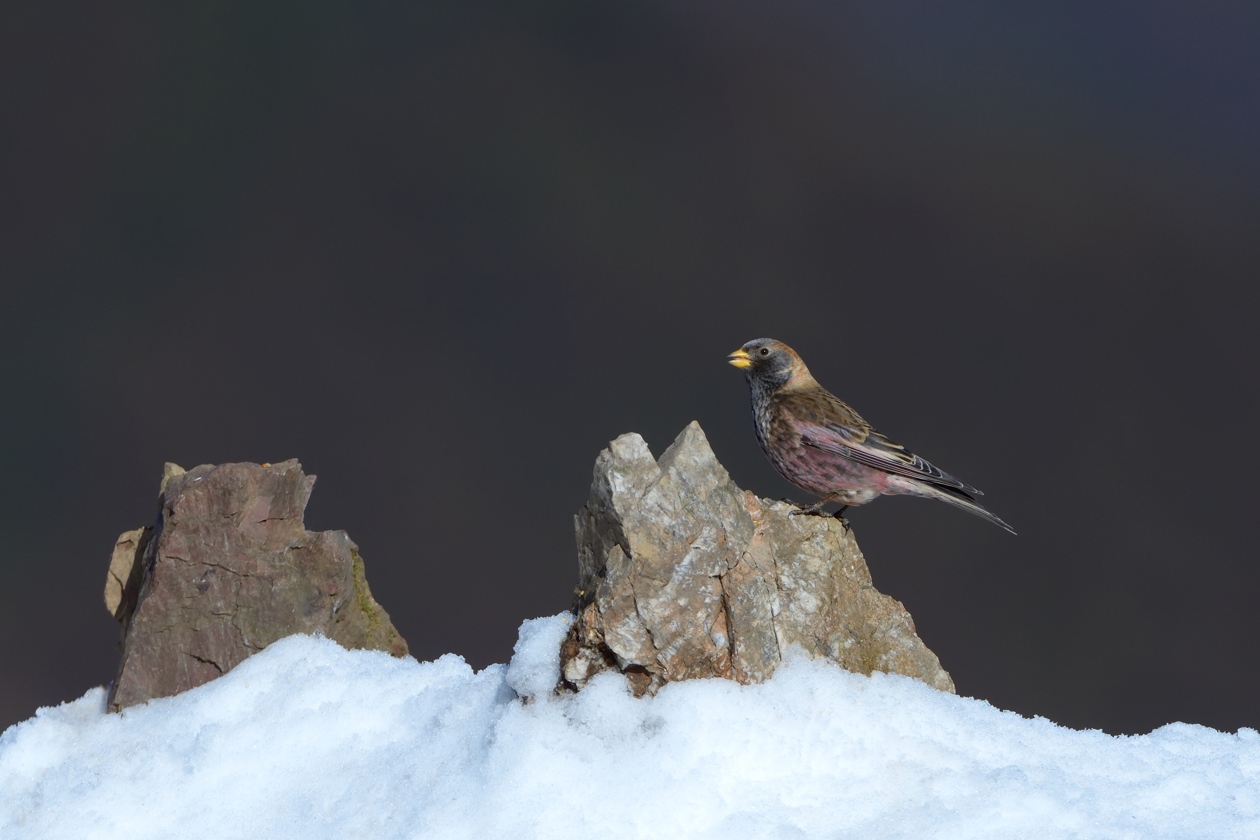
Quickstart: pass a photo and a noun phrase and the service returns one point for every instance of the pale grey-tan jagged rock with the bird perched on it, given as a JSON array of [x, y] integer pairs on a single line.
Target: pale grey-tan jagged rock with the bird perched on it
[[684, 576]]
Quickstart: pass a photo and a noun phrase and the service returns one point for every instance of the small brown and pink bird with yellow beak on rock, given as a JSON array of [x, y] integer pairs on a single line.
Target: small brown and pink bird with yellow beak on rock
[[825, 448]]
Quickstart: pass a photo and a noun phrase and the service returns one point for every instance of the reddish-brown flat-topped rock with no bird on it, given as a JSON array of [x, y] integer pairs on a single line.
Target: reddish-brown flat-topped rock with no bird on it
[[230, 569]]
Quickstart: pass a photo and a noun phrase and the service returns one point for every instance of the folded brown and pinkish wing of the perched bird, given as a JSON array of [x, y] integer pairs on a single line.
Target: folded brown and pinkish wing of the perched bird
[[830, 425]]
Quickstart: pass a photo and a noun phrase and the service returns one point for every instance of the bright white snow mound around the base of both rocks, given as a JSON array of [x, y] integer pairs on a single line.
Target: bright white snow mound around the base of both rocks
[[307, 740]]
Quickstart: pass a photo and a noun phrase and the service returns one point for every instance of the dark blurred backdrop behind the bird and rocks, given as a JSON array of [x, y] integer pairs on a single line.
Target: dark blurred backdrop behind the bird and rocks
[[443, 253]]
